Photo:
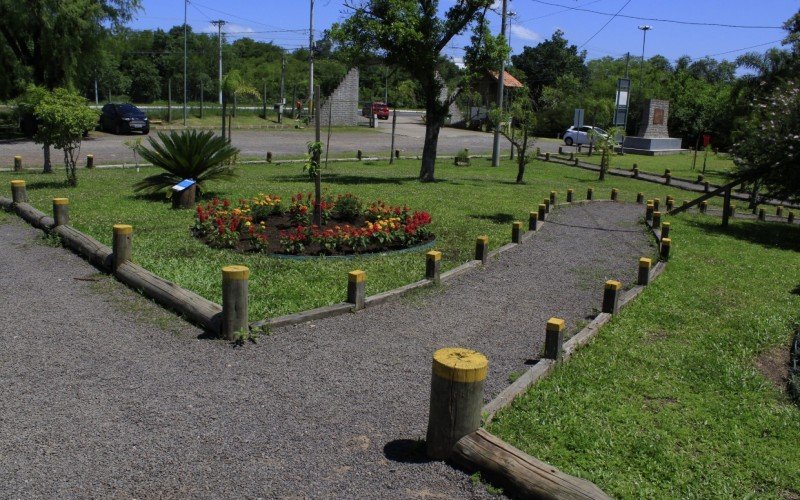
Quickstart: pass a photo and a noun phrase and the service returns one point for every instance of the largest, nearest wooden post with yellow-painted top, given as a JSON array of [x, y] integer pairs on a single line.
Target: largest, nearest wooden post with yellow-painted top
[[457, 380]]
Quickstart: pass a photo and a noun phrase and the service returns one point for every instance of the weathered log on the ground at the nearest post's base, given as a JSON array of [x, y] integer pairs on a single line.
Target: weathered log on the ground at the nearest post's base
[[519, 474]]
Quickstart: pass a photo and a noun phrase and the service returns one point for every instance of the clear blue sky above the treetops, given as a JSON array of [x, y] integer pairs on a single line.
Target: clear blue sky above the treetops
[[753, 24]]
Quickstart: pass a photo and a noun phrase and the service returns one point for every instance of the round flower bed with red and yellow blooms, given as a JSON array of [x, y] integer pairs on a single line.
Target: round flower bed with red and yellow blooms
[[349, 226]]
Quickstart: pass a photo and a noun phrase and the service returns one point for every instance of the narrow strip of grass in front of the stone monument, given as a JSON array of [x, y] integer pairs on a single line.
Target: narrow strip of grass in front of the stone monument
[[680, 165]]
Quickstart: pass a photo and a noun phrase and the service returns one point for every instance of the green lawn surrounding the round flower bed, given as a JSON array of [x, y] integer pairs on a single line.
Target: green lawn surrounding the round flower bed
[[464, 203]]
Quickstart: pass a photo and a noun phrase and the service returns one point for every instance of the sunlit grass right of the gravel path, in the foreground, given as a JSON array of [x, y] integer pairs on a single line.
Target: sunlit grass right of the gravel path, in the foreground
[[667, 401]]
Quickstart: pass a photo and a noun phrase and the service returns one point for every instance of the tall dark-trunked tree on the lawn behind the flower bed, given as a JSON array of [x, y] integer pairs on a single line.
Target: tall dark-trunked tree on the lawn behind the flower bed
[[411, 35]]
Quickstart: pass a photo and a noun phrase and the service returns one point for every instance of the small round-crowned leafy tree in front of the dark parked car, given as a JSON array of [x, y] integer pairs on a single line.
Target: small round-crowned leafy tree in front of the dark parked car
[[64, 118]]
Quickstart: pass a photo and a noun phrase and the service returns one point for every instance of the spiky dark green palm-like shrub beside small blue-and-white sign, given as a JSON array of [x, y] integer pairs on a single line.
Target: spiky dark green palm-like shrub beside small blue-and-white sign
[[188, 154]]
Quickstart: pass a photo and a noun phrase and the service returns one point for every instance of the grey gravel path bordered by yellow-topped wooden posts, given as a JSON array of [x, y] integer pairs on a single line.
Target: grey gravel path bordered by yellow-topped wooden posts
[[103, 393]]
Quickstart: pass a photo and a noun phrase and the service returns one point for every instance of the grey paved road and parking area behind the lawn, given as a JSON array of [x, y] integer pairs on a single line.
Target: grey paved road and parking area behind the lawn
[[410, 133]]
